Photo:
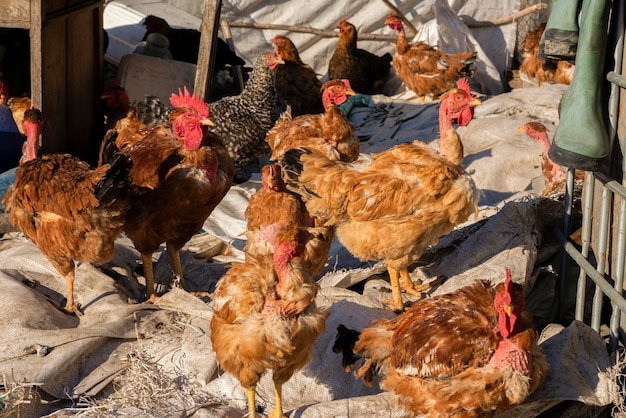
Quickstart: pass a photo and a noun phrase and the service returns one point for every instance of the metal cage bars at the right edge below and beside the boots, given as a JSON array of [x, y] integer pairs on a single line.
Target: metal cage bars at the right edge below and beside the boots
[[612, 194]]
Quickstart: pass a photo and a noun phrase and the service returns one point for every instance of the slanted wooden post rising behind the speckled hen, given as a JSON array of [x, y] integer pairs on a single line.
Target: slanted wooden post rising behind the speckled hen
[[206, 53]]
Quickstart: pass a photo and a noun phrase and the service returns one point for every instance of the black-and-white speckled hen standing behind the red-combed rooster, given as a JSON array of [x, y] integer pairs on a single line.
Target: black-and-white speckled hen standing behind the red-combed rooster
[[243, 121]]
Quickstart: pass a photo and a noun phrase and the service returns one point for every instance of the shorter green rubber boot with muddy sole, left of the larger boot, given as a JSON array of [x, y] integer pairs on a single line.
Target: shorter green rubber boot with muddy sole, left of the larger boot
[[560, 38]]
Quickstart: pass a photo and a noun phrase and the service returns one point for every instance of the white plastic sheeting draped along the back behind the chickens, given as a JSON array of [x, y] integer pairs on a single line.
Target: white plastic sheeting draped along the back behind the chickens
[[437, 22]]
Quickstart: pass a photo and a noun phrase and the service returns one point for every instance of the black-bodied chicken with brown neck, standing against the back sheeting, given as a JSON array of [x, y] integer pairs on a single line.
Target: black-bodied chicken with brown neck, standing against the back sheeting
[[366, 72]]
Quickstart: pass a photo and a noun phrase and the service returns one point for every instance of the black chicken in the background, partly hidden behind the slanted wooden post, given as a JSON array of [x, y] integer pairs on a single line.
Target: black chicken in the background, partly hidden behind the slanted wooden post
[[185, 43]]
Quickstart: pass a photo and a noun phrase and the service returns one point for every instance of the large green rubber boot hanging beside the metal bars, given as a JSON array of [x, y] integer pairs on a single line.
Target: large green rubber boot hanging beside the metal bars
[[581, 139]]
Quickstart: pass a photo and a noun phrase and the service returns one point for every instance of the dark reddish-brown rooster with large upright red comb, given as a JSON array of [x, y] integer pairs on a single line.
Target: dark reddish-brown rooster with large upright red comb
[[182, 172]]
